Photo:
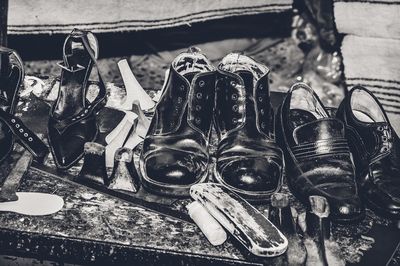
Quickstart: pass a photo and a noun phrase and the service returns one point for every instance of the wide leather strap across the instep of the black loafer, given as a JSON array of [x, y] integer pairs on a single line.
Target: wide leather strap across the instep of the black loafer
[[322, 129]]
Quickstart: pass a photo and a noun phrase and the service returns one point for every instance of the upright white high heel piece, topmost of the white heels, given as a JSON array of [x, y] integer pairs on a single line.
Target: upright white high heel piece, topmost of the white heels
[[134, 90]]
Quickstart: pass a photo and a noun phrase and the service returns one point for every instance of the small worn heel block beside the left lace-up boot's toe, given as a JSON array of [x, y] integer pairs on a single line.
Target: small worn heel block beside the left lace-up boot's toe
[[124, 176]]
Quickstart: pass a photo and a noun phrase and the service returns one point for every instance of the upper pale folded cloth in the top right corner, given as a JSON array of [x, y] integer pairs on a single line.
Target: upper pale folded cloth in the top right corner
[[368, 18]]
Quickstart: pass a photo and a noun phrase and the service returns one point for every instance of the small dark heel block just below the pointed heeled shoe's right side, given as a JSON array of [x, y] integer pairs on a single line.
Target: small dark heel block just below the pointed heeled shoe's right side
[[94, 168]]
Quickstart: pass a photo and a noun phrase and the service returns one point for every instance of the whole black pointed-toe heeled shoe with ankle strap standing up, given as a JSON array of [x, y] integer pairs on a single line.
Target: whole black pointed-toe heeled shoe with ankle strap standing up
[[72, 119]]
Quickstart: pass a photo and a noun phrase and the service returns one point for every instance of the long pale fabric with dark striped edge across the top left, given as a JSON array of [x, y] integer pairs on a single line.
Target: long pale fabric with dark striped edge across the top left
[[60, 16]]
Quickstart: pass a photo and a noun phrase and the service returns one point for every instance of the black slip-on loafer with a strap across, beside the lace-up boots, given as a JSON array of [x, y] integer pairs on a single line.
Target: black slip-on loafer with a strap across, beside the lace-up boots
[[317, 156]]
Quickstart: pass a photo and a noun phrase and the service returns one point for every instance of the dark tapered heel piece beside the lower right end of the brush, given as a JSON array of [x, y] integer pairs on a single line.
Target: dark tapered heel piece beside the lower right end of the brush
[[280, 214]]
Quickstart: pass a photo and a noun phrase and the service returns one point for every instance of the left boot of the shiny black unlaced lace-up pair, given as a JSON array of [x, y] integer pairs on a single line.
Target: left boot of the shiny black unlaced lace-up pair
[[175, 150]]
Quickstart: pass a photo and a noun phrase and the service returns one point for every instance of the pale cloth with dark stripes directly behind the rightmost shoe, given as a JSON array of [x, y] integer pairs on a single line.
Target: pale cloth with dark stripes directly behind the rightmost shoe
[[375, 64]]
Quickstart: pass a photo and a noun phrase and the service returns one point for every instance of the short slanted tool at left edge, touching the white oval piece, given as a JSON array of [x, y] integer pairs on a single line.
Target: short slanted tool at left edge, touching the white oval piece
[[11, 184]]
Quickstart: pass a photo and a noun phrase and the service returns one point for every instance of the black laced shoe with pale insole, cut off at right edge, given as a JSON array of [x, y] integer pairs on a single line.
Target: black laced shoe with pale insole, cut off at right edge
[[376, 150]]
